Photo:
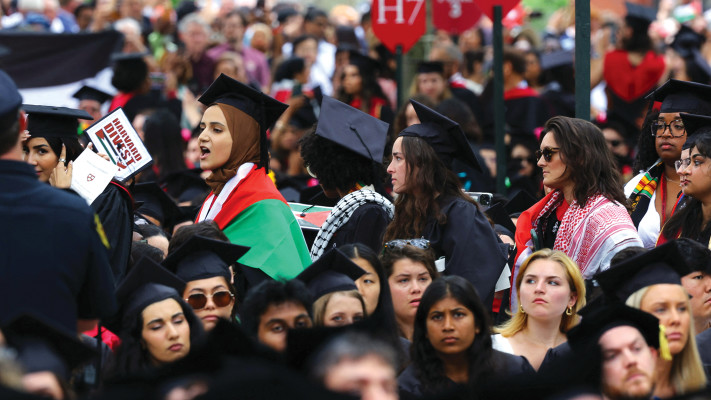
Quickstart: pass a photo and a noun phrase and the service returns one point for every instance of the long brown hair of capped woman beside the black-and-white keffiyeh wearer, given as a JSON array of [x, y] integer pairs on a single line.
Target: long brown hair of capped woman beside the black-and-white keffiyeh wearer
[[428, 176]]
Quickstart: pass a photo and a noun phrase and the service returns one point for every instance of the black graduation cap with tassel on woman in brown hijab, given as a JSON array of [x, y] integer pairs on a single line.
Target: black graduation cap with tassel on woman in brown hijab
[[264, 109]]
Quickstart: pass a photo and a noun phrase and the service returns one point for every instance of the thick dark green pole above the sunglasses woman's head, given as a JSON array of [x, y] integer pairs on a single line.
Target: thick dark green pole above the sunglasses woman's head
[[582, 59]]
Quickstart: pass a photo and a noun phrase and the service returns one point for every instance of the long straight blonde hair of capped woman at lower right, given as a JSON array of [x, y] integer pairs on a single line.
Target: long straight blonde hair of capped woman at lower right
[[687, 372]]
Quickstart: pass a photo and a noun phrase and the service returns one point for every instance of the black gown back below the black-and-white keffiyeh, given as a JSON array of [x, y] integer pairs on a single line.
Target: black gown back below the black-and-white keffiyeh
[[366, 225]]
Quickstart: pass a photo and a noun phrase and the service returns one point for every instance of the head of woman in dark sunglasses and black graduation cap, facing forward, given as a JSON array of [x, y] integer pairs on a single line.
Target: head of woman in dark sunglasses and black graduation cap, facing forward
[[204, 264]]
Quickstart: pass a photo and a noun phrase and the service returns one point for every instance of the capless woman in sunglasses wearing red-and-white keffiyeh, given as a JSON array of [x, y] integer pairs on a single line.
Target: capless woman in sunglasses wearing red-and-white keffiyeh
[[584, 215]]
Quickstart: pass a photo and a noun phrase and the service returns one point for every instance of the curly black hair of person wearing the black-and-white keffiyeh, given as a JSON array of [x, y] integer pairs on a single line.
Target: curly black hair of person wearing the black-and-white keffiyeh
[[337, 167]]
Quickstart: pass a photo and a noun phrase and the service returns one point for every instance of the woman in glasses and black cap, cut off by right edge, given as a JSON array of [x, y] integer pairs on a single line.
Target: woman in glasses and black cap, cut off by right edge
[[694, 219]]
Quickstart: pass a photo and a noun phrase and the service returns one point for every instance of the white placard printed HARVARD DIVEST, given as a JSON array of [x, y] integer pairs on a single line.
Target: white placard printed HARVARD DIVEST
[[115, 136]]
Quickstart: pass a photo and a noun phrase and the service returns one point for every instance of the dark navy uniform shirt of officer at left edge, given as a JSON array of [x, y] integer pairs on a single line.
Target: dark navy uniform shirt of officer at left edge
[[53, 254]]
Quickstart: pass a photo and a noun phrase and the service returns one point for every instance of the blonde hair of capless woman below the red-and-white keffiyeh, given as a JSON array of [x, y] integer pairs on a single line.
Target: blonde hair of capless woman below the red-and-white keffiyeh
[[519, 319]]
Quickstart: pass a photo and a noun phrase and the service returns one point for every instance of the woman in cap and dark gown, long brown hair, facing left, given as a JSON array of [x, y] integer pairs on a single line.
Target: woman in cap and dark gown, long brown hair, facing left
[[431, 204]]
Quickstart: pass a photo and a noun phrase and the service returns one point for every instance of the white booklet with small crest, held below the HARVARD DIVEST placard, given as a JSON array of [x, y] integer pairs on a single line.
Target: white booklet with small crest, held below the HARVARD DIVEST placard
[[91, 174]]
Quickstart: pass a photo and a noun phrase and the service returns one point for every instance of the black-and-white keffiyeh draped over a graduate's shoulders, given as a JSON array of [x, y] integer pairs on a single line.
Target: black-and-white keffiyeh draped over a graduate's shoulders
[[342, 212]]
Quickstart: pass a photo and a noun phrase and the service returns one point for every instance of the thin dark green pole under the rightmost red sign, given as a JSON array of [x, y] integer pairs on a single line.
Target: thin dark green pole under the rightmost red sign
[[499, 118]]
